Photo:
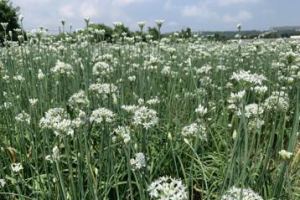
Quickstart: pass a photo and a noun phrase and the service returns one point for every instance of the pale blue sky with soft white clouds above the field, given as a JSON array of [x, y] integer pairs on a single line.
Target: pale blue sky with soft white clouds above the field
[[196, 14]]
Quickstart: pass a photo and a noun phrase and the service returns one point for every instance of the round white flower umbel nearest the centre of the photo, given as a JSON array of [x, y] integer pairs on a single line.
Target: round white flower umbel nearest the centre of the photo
[[145, 117]]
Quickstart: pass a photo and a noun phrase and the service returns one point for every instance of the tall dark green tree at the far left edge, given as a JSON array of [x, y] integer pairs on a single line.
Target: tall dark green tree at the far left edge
[[10, 15]]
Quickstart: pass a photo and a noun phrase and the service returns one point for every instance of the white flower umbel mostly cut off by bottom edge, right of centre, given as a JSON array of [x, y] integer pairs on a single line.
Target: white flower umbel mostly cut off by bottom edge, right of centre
[[235, 193]]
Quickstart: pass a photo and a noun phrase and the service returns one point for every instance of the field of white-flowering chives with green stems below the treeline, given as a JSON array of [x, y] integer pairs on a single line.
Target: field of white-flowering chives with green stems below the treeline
[[139, 119]]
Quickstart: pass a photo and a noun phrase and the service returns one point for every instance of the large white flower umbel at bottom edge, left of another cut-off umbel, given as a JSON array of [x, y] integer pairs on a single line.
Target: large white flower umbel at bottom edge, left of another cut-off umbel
[[166, 188]]
